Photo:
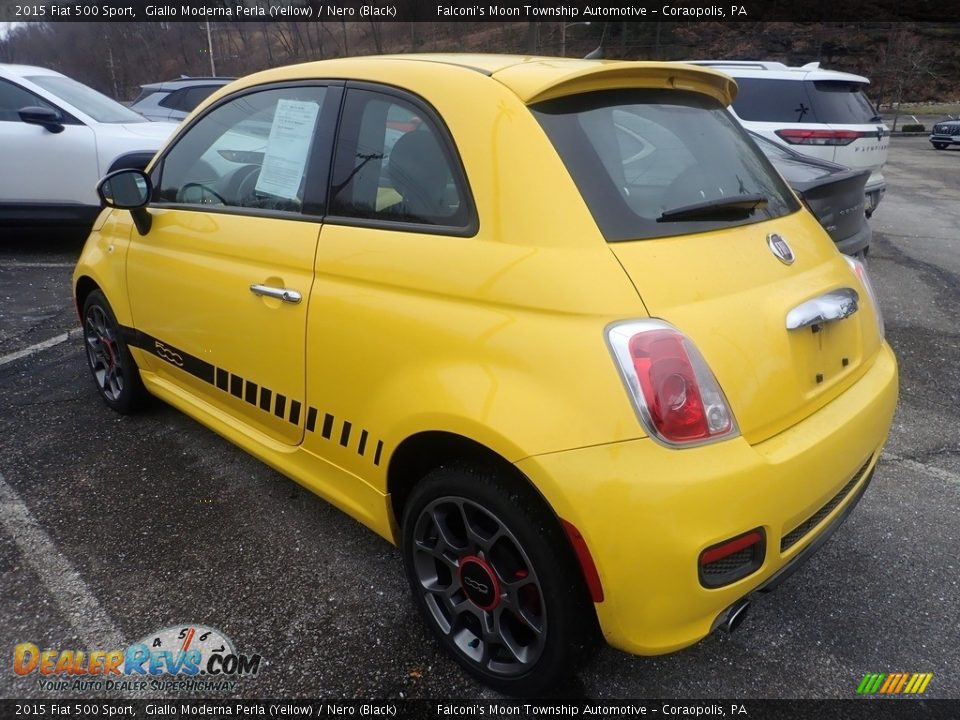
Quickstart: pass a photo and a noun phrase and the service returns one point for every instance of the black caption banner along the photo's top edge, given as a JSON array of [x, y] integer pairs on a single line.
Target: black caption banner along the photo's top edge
[[477, 11]]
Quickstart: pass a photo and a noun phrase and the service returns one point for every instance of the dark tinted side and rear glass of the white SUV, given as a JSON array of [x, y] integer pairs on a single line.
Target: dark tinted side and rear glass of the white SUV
[[832, 102]]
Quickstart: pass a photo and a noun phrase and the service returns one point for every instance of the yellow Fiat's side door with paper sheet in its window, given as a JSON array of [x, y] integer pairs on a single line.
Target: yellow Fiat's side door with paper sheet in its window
[[219, 285]]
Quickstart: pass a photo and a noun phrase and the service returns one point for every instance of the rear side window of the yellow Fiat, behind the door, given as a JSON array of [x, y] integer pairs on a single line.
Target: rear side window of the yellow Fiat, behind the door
[[393, 164]]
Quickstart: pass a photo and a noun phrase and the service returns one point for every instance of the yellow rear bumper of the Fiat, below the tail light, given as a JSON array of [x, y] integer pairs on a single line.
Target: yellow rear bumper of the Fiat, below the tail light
[[647, 512]]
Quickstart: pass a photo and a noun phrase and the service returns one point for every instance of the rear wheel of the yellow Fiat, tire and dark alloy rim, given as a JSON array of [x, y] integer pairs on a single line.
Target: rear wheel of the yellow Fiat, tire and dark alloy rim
[[494, 577]]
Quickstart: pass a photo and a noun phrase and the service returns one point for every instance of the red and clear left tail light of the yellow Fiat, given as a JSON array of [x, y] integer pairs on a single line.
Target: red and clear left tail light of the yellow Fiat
[[675, 395]]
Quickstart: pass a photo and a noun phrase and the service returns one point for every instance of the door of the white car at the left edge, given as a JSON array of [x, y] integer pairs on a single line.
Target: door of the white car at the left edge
[[36, 159]]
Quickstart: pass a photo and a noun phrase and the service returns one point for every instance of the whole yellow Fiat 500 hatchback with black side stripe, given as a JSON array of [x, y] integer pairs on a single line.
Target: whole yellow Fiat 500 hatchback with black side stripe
[[555, 328]]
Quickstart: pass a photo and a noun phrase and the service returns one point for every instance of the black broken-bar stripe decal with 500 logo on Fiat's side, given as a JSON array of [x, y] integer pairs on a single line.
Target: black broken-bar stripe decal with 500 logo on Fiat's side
[[249, 391]]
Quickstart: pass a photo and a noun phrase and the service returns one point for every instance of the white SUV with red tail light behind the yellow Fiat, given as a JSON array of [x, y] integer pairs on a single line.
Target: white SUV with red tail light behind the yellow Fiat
[[823, 113]]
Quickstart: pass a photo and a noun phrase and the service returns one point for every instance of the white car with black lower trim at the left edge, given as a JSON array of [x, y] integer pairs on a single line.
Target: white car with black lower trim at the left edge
[[58, 138]]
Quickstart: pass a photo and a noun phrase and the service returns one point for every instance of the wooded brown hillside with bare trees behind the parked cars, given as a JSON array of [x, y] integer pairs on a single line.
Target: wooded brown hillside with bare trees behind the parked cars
[[905, 61]]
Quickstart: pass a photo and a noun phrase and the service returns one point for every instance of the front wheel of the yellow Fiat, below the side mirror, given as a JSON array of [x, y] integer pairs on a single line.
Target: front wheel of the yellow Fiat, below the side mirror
[[114, 371]]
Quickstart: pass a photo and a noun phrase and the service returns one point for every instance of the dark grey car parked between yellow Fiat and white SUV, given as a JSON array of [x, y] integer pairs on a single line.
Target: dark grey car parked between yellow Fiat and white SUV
[[832, 192]]
